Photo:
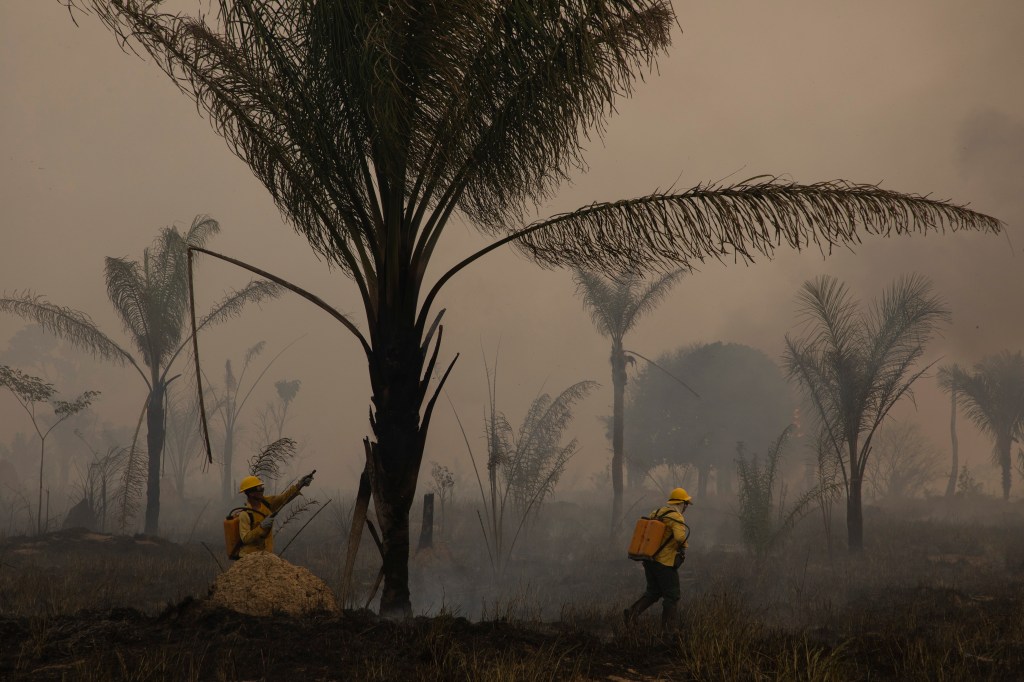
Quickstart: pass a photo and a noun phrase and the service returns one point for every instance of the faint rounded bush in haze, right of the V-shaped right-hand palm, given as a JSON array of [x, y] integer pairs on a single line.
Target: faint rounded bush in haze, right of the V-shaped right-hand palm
[[903, 462]]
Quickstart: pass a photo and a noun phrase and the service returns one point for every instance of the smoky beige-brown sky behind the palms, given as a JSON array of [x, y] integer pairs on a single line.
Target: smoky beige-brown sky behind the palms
[[100, 151]]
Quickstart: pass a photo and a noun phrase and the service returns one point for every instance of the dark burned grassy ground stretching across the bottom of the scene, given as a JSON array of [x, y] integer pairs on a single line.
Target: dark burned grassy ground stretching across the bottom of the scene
[[929, 600]]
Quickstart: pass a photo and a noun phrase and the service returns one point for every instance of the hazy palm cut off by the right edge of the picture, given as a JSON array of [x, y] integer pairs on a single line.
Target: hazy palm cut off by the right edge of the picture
[[993, 398]]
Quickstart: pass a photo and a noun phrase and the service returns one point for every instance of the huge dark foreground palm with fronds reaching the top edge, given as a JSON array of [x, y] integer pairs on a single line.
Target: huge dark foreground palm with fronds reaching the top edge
[[372, 122]]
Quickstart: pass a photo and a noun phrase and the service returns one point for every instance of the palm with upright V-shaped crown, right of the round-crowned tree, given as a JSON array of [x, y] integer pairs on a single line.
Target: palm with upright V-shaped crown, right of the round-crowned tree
[[856, 366]]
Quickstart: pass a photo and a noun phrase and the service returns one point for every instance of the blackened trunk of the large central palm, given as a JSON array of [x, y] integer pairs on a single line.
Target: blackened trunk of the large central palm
[[396, 367]]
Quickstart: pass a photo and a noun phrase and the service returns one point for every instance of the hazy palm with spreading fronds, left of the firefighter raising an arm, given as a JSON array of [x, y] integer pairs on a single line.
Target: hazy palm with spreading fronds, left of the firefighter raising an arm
[[152, 299]]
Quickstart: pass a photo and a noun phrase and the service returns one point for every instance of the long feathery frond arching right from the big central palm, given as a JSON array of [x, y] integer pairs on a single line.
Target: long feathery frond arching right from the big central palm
[[738, 223]]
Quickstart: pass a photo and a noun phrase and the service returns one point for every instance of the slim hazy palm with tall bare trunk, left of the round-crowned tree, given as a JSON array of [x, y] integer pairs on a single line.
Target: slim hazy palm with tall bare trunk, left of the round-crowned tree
[[616, 306]]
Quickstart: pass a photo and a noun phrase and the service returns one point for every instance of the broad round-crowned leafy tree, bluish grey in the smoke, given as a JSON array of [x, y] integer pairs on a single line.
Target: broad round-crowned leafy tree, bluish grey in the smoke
[[742, 397]]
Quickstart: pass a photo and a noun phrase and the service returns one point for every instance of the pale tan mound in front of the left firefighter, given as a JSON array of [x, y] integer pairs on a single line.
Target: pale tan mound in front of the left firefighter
[[264, 584]]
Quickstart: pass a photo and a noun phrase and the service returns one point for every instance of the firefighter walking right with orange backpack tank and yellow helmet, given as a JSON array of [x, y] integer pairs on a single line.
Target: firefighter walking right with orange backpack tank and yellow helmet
[[663, 573]]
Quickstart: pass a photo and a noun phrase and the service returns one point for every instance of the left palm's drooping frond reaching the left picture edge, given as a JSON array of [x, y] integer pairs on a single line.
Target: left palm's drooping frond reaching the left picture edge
[[72, 326]]
